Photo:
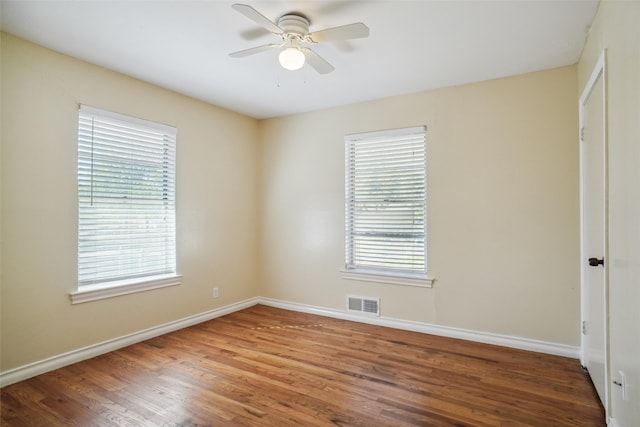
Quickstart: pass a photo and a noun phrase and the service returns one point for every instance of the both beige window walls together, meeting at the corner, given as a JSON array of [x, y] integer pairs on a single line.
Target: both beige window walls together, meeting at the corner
[[261, 205]]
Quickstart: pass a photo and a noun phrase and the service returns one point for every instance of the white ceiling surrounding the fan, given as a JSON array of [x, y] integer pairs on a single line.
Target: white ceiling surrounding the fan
[[413, 45]]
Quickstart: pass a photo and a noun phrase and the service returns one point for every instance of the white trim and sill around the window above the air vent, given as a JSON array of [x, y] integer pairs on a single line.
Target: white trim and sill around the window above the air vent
[[389, 276]]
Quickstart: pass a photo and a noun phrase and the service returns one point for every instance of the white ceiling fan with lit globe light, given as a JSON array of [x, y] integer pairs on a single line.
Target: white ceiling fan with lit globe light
[[293, 29]]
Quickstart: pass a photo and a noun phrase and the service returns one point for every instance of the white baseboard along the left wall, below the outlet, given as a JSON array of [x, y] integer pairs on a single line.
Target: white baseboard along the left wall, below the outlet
[[31, 370]]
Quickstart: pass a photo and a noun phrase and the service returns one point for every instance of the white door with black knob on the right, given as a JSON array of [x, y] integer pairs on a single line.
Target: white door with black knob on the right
[[593, 165]]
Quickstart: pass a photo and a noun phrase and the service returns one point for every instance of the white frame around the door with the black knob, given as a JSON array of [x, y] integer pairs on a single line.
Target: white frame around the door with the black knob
[[599, 71]]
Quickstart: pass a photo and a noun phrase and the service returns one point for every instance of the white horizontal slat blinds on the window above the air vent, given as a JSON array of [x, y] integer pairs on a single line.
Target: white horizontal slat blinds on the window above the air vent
[[386, 201]]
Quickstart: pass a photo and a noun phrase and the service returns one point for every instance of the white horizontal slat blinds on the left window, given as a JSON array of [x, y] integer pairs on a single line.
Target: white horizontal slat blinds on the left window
[[126, 191]]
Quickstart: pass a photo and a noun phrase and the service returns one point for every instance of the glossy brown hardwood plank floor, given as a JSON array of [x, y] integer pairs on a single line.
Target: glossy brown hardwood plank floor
[[269, 367]]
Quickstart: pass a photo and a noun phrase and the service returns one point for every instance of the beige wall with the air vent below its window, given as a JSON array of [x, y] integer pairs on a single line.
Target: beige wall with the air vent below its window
[[503, 208]]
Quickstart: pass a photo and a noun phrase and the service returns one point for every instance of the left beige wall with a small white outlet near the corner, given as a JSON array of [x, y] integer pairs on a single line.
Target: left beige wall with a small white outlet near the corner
[[216, 204]]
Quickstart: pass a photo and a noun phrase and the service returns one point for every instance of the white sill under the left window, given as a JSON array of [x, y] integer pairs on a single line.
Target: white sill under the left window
[[113, 289]]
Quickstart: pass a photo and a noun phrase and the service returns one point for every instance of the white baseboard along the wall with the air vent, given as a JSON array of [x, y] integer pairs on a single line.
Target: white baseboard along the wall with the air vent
[[445, 331]]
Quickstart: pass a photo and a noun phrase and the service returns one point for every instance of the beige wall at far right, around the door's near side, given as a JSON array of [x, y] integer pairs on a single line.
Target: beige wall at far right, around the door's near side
[[616, 29]]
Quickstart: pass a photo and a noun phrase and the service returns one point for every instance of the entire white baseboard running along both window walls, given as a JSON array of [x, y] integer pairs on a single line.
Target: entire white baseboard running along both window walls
[[27, 371]]
